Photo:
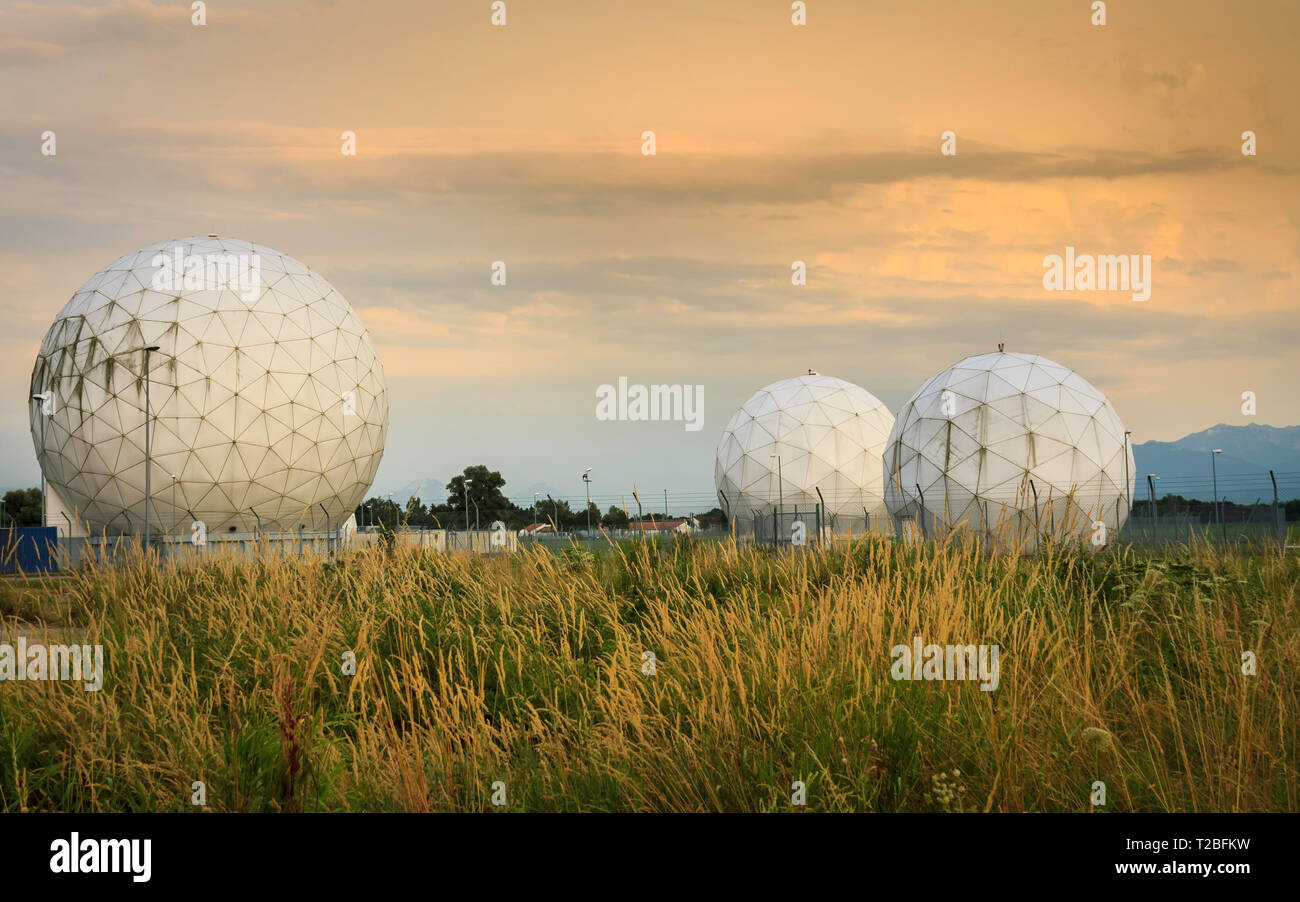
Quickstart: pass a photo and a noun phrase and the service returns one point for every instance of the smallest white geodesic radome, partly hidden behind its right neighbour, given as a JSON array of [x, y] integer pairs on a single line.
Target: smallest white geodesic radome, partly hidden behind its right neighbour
[[829, 433]]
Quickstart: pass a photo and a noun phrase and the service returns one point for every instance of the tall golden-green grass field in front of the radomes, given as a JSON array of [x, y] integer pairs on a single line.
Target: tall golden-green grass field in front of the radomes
[[770, 669]]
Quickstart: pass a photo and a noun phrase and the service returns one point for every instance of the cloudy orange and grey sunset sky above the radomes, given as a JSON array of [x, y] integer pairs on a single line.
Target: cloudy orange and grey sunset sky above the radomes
[[775, 144]]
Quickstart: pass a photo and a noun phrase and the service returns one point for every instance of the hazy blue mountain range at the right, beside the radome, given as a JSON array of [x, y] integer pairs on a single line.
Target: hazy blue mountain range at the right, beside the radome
[[1250, 453]]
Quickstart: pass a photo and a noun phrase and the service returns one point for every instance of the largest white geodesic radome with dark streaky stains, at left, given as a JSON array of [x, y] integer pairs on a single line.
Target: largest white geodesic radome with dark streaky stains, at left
[[270, 404]]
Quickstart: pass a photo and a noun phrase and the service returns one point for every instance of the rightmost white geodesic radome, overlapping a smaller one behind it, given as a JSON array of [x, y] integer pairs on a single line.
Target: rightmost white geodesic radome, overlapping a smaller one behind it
[[976, 443]]
